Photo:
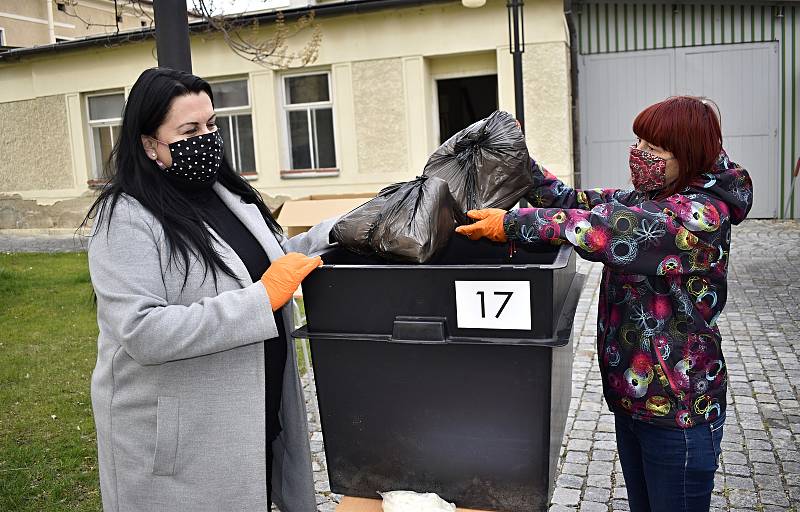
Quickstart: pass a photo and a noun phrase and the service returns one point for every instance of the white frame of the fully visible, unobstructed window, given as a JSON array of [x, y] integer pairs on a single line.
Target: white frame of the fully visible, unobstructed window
[[286, 107]]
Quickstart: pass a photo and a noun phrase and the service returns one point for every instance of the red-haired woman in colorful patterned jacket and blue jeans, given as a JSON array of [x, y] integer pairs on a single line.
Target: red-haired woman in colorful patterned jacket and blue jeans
[[664, 248]]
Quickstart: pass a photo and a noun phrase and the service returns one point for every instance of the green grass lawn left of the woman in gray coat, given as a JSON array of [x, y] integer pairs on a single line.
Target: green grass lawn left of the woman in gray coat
[[48, 336]]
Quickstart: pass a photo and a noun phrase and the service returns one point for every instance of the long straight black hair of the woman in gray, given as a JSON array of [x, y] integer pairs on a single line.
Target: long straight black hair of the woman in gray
[[130, 172]]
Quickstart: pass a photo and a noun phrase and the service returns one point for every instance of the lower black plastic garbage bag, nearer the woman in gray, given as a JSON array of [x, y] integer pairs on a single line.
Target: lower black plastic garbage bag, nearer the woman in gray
[[408, 222]]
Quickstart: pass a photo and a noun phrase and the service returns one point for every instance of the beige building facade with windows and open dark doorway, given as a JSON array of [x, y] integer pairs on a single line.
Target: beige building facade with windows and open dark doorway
[[367, 113]]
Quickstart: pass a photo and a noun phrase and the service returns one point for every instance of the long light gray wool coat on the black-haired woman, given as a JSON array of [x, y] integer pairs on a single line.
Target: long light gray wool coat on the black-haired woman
[[178, 388]]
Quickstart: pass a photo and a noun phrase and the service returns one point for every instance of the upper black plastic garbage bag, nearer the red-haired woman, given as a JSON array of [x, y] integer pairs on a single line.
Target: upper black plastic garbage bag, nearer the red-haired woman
[[486, 164]]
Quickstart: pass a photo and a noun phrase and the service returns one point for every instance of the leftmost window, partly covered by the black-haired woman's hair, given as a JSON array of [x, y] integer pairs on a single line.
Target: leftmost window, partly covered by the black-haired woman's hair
[[105, 121]]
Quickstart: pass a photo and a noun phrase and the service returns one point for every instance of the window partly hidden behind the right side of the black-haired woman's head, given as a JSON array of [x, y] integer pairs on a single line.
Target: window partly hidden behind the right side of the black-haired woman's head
[[235, 124]]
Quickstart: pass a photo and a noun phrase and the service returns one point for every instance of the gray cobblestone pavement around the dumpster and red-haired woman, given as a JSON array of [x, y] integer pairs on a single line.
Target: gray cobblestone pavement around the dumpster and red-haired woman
[[760, 463]]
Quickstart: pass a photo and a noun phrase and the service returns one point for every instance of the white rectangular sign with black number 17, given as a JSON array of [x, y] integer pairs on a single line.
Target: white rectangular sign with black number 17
[[493, 305]]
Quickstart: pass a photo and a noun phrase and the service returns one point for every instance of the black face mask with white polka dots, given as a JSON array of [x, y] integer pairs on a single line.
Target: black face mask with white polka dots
[[194, 160]]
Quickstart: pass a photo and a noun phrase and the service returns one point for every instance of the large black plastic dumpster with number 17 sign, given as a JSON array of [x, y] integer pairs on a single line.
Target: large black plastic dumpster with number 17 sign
[[425, 383]]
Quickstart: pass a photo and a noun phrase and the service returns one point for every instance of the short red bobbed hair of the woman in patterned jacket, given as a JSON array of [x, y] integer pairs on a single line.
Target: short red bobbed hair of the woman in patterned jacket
[[687, 127]]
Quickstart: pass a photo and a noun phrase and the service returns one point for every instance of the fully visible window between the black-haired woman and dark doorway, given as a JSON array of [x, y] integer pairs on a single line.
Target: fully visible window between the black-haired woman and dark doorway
[[309, 124]]
